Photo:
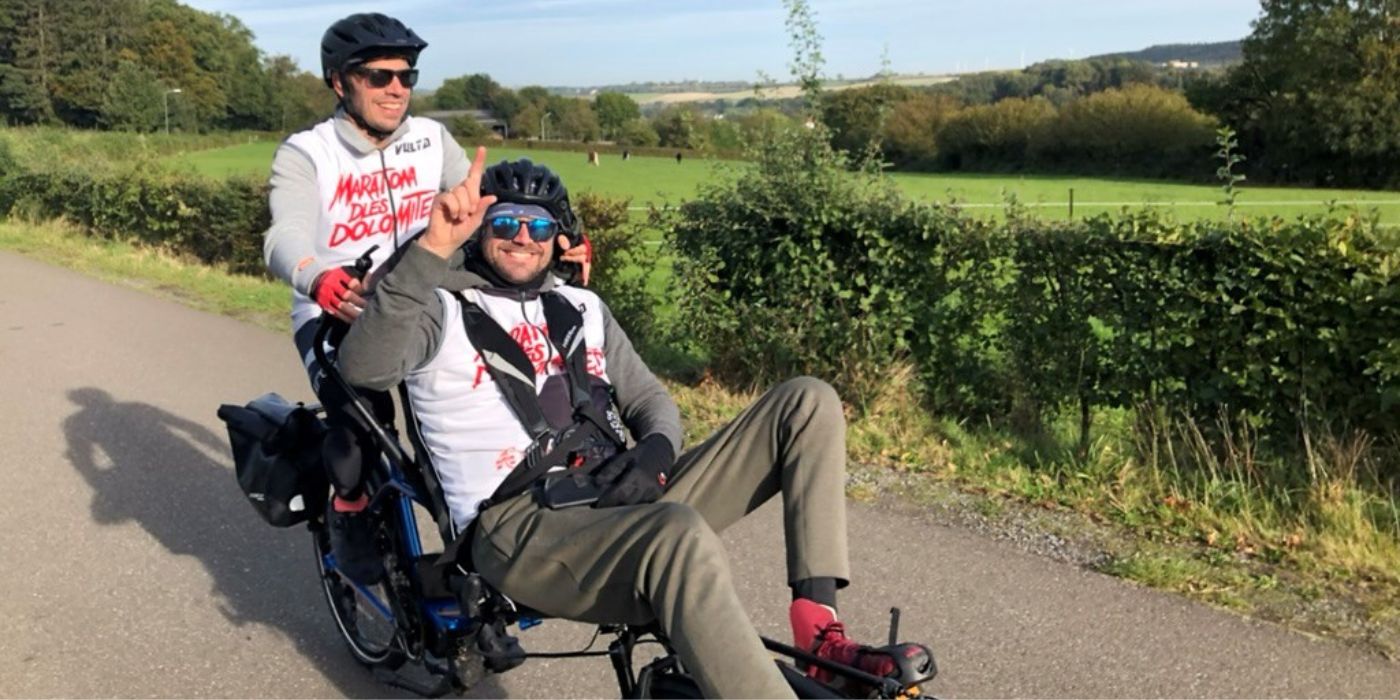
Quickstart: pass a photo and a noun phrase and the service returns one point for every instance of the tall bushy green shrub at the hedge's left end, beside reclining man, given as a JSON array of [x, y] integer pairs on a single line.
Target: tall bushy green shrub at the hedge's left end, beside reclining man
[[790, 268]]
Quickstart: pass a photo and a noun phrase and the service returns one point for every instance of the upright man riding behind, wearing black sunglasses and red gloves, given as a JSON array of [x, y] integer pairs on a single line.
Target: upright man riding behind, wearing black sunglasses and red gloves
[[363, 180]]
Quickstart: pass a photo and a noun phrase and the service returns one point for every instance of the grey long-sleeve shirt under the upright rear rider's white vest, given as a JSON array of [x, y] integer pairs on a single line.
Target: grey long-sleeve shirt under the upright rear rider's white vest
[[296, 201]]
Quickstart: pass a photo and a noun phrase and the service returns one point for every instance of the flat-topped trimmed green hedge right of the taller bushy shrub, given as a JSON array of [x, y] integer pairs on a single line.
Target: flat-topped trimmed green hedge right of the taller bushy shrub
[[1284, 321]]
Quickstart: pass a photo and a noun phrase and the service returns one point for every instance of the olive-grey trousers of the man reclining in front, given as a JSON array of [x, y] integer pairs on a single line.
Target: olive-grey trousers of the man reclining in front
[[664, 561]]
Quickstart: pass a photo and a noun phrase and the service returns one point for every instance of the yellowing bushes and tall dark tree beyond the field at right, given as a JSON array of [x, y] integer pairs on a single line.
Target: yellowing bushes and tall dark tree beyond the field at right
[[1315, 101]]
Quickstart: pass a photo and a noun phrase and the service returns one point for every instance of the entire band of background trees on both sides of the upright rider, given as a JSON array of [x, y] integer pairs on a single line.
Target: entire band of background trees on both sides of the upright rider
[[1315, 100]]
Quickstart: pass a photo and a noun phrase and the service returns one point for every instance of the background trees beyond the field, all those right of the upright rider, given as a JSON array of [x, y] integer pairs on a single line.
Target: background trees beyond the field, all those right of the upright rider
[[1315, 101]]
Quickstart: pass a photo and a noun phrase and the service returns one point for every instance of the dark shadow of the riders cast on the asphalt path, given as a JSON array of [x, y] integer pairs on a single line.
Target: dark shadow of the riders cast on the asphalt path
[[155, 468]]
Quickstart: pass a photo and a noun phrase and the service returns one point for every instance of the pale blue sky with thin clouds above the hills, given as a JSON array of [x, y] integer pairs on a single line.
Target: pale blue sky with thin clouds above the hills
[[601, 43]]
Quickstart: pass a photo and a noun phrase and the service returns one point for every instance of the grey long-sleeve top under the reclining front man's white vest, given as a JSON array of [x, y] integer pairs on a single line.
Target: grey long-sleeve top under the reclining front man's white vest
[[402, 328]]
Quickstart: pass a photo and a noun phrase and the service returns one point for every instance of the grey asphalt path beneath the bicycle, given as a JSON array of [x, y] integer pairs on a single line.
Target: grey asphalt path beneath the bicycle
[[131, 568]]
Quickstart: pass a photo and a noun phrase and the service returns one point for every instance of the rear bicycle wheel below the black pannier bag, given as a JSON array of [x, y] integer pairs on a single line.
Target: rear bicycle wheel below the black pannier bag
[[366, 622]]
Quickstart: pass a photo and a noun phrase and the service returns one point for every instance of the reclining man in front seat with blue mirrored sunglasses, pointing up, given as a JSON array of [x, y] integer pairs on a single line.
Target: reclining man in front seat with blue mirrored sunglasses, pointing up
[[524, 393]]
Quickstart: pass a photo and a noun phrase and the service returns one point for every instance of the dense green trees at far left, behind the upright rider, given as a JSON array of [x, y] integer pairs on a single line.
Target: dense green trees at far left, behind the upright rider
[[131, 65]]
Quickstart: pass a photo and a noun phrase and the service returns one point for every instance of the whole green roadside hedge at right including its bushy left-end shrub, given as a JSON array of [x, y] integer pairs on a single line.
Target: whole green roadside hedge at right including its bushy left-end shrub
[[801, 267]]
